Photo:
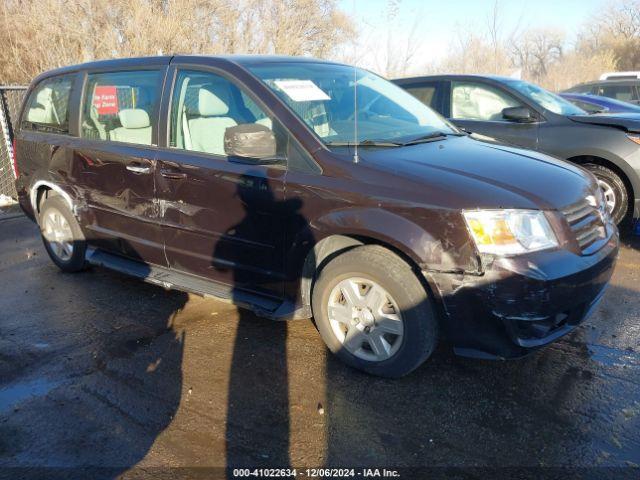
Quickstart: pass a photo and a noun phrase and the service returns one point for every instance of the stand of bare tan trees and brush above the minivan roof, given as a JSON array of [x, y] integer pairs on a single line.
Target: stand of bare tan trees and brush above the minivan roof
[[42, 34]]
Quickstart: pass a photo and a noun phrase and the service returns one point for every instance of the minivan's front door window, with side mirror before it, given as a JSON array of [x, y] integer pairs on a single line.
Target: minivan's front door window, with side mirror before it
[[211, 114]]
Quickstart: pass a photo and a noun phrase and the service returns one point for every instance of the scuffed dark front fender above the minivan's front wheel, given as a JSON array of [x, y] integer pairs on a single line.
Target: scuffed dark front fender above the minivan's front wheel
[[433, 239]]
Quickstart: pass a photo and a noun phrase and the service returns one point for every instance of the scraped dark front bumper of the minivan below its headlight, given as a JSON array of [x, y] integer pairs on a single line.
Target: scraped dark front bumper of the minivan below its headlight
[[521, 303]]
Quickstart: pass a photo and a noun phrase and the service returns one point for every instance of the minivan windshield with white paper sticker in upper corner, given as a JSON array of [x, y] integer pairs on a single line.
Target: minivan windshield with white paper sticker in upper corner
[[323, 96]]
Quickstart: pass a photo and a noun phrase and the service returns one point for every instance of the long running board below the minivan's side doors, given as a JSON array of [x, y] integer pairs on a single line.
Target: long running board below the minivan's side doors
[[262, 306]]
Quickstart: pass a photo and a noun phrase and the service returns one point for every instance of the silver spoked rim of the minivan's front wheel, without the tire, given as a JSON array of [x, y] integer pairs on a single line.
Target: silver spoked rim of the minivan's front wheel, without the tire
[[365, 319]]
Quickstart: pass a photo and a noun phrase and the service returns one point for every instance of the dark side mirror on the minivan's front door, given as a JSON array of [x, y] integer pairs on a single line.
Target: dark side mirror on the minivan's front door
[[251, 141]]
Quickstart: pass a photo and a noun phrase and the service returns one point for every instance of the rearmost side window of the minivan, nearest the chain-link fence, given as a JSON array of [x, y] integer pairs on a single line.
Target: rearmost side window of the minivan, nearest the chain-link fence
[[48, 106]]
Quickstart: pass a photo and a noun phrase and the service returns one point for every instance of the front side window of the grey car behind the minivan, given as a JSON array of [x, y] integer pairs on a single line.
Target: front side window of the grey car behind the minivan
[[475, 101]]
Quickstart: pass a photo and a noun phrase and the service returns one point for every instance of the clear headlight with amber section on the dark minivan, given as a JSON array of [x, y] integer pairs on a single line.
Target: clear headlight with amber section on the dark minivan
[[510, 232]]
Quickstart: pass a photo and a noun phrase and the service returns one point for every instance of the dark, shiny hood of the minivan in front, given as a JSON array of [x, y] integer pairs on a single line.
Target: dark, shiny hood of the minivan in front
[[461, 172]]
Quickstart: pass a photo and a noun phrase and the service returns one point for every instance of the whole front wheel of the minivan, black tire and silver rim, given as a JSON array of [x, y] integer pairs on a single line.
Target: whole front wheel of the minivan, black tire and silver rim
[[365, 269]]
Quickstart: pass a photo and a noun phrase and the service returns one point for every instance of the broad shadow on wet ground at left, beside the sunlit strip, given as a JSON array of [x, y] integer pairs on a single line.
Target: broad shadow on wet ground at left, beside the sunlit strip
[[90, 365]]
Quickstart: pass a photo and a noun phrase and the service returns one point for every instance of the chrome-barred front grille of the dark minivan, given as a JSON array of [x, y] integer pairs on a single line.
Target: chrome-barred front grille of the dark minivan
[[585, 220]]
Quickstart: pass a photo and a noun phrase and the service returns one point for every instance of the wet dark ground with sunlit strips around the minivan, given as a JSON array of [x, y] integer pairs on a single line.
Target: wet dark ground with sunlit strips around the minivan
[[104, 376]]
